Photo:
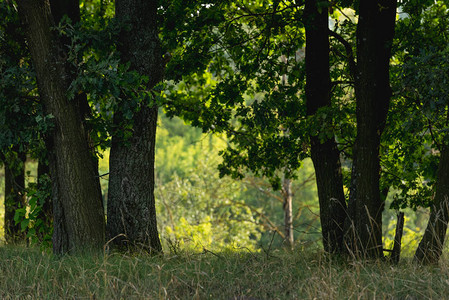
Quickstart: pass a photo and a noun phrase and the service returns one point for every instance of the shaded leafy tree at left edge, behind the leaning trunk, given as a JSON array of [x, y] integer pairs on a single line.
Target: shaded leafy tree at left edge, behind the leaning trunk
[[22, 120]]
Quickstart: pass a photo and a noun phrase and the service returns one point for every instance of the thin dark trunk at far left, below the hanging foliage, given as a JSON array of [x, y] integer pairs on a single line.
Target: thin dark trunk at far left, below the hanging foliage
[[14, 195]]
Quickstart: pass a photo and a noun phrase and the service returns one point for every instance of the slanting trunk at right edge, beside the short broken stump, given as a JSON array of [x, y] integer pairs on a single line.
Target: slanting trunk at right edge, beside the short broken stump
[[431, 246]]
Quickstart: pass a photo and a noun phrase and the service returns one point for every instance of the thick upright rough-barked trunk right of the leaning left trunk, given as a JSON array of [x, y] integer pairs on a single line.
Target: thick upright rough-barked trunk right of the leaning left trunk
[[131, 208]]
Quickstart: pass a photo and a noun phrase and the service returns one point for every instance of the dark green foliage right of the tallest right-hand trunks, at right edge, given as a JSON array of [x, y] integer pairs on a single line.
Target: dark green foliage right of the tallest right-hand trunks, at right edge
[[417, 122]]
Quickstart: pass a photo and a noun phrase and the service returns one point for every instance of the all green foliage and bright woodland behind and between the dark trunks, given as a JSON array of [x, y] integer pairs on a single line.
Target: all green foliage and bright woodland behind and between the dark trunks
[[236, 70]]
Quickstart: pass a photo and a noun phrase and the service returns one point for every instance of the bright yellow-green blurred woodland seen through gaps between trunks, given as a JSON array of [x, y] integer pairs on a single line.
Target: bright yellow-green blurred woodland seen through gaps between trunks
[[197, 209]]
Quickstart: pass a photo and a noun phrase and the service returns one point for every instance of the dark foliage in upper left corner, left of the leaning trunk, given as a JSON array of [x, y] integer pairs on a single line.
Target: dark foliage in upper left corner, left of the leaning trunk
[[21, 118]]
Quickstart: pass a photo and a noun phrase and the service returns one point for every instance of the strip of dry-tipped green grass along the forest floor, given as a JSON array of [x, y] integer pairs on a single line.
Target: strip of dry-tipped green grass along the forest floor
[[27, 273]]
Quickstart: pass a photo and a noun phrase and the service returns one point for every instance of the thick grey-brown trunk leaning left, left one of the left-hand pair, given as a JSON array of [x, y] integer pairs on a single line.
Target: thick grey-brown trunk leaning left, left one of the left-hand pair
[[79, 223]]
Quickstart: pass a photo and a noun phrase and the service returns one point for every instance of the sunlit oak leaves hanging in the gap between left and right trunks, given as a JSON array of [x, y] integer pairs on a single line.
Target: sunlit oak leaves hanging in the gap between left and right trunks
[[239, 91]]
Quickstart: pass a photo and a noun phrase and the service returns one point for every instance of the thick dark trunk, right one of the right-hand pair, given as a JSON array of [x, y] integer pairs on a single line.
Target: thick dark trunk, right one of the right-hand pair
[[373, 92]]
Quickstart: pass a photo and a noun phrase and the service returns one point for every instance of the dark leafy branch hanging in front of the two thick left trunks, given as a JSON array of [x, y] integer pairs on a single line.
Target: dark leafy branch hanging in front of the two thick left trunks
[[105, 80]]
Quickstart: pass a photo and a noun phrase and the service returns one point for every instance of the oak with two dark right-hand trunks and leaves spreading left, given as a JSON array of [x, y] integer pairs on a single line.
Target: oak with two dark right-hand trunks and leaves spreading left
[[271, 131]]
